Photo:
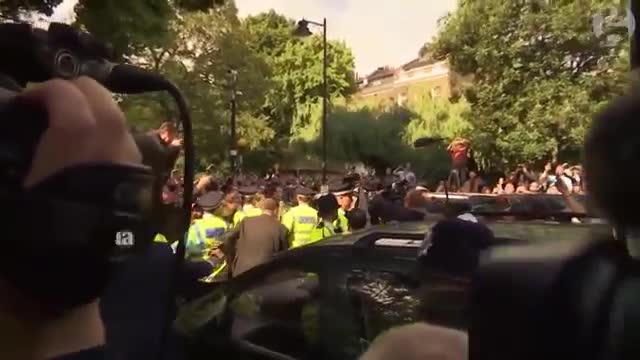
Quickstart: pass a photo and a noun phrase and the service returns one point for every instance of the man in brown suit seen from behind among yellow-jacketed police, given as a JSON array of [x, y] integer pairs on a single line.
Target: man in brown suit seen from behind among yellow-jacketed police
[[256, 239]]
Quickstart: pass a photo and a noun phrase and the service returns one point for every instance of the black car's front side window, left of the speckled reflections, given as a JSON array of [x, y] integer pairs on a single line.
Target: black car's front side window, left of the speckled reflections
[[280, 313]]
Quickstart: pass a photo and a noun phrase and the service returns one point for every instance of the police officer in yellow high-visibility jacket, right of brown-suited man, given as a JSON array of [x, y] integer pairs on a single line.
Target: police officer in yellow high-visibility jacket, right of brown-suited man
[[300, 220]]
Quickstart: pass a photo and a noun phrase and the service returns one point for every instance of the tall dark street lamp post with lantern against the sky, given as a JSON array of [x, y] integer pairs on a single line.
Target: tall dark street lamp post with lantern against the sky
[[302, 30]]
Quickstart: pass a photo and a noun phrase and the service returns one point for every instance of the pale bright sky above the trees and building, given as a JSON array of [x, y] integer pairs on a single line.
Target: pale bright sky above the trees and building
[[380, 32]]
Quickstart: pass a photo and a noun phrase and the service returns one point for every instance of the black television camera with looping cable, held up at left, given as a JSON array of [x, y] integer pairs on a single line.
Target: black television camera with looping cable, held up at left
[[111, 215]]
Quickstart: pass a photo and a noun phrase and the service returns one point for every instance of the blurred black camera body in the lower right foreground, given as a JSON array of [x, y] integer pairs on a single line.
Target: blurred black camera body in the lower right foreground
[[571, 299]]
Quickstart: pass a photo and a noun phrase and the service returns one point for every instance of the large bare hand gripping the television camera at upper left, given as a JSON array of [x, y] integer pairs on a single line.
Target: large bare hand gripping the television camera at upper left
[[85, 125]]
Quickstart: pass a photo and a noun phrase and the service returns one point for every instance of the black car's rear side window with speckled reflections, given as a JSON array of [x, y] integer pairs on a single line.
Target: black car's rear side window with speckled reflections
[[383, 300]]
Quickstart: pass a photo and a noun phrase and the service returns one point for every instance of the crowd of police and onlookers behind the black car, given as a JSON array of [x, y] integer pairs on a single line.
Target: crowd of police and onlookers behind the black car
[[240, 222]]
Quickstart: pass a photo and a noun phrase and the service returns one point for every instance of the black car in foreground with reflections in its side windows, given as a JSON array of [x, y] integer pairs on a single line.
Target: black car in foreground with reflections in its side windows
[[331, 299]]
